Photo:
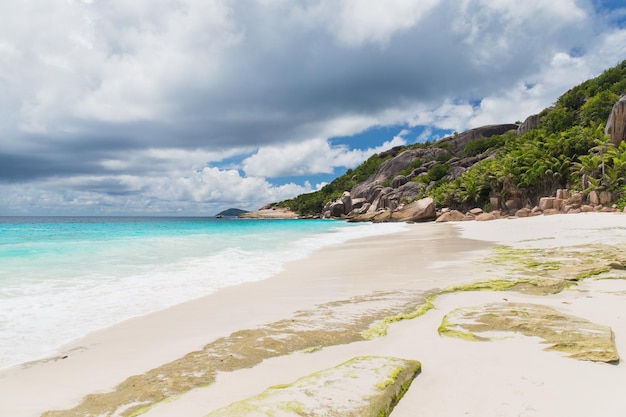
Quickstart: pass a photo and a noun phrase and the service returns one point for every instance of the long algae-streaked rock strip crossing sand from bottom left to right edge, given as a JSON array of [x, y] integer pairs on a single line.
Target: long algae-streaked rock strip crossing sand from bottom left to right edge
[[359, 318]]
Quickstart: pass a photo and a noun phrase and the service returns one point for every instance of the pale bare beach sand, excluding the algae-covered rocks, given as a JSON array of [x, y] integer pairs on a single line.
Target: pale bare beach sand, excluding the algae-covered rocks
[[410, 263]]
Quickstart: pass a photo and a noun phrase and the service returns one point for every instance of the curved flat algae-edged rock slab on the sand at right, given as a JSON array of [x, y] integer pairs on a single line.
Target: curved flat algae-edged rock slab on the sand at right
[[579, 338]]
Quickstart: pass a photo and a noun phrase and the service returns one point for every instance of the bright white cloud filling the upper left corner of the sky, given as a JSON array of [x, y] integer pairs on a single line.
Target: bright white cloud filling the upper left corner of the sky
[[112, 61]]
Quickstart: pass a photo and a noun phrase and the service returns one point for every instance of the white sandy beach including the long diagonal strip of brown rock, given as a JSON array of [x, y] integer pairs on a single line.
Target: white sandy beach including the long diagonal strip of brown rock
[[314, 314]]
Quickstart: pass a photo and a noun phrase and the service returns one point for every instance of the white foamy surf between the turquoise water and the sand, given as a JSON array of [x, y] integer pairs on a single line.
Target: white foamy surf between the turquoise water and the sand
[[39, 314]]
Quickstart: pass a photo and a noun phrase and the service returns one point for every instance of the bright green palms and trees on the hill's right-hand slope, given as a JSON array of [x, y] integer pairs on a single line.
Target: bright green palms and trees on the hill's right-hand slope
[[569, 142]]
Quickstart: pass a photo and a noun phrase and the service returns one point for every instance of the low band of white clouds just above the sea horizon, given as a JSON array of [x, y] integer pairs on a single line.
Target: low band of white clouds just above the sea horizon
[[201, 193]]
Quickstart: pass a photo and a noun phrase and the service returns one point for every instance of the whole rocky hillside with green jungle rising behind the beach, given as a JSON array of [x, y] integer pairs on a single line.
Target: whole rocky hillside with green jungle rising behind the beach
[[563, 147]]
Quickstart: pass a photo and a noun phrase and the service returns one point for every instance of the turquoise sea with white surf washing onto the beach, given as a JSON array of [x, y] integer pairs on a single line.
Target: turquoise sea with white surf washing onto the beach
[[64, 277]]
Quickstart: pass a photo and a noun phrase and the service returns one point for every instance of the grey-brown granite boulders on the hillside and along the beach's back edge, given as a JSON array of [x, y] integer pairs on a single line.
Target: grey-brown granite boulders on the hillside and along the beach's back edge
[[407, 173]]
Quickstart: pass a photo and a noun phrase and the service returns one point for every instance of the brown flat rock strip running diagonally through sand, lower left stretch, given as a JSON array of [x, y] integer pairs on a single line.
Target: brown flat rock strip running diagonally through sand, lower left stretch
[[329, 324]]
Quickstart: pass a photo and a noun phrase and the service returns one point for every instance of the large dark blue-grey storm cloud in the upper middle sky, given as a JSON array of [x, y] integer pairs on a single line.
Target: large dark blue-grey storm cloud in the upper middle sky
[[276, 91]]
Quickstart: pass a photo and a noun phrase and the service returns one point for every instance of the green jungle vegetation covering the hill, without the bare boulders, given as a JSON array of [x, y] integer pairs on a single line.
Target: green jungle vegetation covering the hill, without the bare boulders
[[567, 149]]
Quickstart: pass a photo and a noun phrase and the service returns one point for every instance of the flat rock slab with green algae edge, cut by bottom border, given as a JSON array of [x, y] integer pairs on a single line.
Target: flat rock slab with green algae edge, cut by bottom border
[[363, 386]]
